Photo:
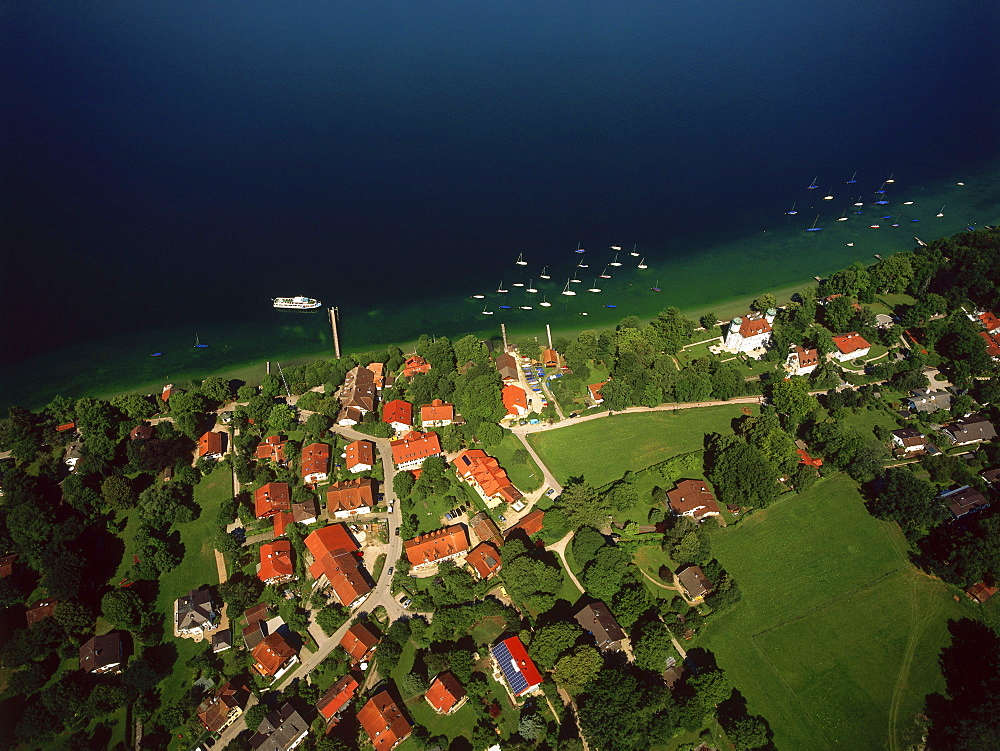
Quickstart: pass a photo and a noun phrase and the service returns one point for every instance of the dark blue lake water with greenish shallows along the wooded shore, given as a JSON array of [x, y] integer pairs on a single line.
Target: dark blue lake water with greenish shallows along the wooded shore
[[170, 167]]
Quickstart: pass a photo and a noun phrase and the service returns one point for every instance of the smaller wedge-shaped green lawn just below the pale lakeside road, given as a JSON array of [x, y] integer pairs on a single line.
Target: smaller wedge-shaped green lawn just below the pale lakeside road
[[601, 450]]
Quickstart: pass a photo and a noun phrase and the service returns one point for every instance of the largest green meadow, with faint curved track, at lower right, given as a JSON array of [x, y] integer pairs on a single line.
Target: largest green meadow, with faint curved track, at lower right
[[837, 636]]
